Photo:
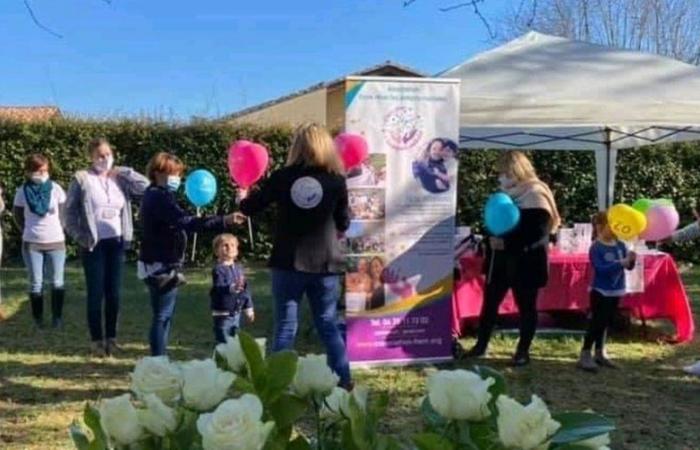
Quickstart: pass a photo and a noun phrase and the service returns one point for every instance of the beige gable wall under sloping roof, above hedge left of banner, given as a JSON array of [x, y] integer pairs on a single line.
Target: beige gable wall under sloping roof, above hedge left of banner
[[309, 107]]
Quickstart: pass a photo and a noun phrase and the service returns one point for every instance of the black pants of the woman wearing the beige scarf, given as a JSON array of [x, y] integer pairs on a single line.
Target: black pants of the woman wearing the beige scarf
[[525, 298]]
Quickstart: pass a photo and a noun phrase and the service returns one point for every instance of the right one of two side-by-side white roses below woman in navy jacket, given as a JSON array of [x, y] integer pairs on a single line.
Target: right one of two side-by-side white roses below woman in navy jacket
[[205, 385]]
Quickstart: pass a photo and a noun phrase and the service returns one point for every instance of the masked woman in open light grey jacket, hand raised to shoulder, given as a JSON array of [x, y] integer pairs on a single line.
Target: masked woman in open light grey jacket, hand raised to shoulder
[[99, 219]]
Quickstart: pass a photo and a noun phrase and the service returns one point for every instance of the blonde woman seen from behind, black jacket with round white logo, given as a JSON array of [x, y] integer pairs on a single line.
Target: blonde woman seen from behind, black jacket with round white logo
[[312, 210]]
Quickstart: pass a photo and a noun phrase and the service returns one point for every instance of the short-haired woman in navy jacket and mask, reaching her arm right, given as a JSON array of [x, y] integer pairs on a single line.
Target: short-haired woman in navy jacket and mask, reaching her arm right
[[165, 225]]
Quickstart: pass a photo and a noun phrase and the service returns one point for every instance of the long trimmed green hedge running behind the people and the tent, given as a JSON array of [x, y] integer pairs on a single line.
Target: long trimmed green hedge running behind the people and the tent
[[662, 171]]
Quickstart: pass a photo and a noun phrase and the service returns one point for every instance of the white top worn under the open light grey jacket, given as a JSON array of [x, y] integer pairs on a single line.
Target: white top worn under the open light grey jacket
[[107, 201]]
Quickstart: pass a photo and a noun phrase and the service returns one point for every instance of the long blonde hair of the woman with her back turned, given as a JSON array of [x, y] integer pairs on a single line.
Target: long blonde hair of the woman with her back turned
[[313, 146]]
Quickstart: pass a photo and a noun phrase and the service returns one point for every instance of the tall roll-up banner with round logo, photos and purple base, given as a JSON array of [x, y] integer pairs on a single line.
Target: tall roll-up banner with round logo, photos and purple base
[[400, 246]]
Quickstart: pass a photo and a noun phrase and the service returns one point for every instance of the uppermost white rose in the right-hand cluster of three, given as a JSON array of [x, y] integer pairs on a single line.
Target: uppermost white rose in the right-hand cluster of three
[[460, 394]]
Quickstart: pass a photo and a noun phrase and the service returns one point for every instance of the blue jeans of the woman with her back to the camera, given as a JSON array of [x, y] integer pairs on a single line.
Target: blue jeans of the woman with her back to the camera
[[323, 292]]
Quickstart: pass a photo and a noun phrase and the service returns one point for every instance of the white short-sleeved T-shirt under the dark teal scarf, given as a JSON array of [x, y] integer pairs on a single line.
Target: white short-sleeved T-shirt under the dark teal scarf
[[47, 229]]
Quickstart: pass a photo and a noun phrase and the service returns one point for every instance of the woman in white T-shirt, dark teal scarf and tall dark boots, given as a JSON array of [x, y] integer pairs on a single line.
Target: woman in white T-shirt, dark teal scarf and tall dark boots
[[38, 210]]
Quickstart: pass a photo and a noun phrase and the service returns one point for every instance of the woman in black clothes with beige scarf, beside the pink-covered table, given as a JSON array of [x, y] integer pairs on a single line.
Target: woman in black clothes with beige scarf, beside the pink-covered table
[[518, 260]]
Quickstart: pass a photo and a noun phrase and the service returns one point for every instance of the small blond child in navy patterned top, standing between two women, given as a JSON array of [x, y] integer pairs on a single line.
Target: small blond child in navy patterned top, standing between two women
[[229, 293]]
